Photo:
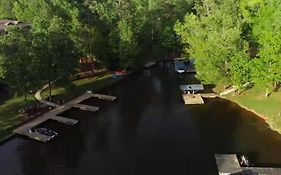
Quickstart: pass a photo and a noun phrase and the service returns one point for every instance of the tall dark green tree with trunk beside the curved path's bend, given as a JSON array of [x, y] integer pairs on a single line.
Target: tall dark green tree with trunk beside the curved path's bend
[[54, 26]]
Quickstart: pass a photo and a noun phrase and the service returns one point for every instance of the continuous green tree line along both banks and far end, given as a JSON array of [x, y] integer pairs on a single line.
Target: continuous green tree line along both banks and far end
[[232, 41]]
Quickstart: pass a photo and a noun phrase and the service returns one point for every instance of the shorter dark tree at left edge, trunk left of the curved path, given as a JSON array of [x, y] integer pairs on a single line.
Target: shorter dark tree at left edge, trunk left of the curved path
[[19, 66]]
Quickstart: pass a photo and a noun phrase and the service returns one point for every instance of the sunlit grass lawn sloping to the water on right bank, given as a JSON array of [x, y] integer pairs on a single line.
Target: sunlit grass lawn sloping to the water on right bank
[[254, 99]]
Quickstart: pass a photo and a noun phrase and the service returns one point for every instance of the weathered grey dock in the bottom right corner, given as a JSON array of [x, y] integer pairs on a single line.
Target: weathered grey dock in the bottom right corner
[[228, 164]]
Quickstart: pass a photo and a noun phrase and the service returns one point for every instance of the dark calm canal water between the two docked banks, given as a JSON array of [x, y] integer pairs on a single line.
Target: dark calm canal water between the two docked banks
[[148, 130]]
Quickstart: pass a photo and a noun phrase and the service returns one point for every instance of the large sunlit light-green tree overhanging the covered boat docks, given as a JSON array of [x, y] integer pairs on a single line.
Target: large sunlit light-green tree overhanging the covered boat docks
[[213, 36]]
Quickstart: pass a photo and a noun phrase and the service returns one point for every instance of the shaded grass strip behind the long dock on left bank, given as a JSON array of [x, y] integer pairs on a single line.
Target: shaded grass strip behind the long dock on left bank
[[9, 117]]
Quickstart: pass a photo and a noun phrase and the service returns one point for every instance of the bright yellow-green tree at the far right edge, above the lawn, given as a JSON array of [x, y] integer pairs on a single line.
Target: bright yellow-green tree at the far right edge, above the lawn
[[267, 31]]
